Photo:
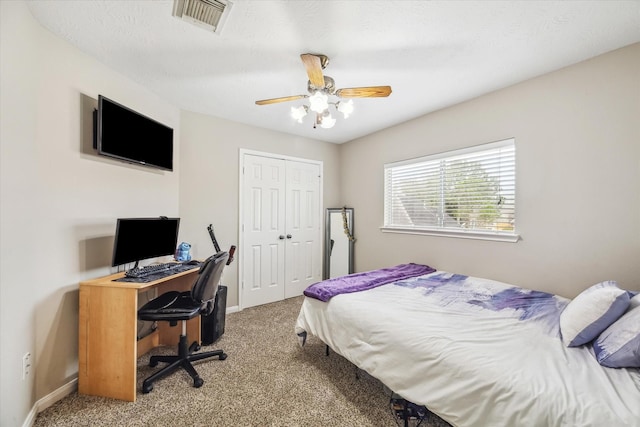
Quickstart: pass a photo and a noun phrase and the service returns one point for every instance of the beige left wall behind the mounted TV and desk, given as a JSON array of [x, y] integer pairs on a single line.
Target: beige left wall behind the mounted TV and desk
[[59, 201]]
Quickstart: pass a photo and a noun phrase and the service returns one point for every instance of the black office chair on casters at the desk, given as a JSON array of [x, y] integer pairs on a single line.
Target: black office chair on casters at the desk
[[177, 306]]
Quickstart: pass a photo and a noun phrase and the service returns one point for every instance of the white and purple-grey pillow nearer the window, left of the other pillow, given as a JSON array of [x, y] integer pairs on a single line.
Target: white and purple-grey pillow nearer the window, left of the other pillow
[[591, 312]]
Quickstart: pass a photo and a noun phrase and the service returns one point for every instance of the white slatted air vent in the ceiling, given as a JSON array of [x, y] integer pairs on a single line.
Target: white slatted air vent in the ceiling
[[208, 14]]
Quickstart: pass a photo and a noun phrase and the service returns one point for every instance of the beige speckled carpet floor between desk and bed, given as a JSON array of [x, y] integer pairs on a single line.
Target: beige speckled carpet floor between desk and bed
[[267, 380]]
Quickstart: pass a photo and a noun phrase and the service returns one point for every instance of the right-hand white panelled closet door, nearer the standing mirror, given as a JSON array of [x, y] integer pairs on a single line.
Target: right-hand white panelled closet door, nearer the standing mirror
[[302, 252]]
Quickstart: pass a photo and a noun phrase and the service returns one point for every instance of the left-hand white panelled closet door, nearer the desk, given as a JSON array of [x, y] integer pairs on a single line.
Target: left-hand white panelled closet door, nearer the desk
[[264, 225]]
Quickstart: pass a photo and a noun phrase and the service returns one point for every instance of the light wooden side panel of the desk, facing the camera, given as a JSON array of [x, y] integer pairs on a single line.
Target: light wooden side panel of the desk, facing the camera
[[107, 342]]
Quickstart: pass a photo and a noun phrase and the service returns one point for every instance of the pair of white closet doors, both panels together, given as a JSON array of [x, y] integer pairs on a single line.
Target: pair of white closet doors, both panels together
[[281, 228]]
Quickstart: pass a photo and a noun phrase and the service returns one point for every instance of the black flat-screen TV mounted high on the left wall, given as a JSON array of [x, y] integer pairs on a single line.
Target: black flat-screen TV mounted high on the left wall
[[127, 135]]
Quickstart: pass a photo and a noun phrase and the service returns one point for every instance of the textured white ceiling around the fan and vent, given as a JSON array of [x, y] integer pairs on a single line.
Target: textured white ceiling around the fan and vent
[[432, 53]]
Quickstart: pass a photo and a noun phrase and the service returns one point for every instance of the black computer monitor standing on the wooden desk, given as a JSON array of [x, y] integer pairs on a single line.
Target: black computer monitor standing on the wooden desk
[[142, 238]]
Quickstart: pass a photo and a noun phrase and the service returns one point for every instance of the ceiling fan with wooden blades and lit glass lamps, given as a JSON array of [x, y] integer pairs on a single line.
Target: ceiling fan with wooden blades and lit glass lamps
[[320, 87]]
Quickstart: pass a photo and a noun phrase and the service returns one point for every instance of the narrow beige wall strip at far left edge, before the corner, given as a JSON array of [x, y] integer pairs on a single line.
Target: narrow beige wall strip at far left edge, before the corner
[[17, 107]]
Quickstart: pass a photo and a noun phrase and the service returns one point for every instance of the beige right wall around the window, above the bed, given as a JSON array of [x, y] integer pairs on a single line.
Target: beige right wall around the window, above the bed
[[577, 135]]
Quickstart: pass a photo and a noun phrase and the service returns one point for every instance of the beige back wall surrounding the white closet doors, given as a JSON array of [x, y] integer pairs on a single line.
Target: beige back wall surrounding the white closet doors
[[209, 179]]
